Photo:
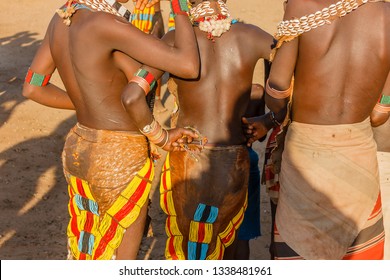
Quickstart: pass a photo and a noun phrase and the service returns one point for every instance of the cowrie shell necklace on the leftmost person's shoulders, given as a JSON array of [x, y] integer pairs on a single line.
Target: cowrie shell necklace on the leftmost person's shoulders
[[108, 6]]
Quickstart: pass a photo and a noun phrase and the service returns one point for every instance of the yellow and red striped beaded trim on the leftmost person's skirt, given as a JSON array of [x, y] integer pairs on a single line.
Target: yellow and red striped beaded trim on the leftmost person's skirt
[[94, 235]]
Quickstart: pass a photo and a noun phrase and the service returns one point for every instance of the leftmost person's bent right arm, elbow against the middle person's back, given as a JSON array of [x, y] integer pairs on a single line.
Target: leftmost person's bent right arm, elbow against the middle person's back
[[181, 58]]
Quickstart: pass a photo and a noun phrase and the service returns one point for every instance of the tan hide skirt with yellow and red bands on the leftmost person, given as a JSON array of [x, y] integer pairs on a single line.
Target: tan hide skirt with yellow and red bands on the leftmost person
[[109, 176]]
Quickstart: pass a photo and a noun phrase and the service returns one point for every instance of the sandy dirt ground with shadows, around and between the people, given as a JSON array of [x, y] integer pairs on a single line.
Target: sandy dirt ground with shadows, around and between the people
[[33, 192]]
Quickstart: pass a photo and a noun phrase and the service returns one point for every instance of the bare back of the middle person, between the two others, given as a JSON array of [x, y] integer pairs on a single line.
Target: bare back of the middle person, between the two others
[[215, 103]]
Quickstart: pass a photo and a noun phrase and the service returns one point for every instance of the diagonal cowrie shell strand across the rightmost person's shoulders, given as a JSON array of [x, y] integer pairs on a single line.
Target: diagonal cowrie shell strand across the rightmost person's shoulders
[[287, 30]]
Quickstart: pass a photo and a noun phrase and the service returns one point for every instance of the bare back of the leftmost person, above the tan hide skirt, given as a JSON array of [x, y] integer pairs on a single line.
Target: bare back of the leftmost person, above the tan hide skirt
[[93, 73]]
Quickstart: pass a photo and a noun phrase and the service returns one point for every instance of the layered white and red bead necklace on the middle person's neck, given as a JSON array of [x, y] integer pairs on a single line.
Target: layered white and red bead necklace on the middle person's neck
[[206, 18]]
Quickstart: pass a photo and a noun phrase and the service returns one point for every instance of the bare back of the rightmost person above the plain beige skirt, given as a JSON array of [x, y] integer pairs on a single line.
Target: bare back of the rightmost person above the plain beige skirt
[[342, 67]]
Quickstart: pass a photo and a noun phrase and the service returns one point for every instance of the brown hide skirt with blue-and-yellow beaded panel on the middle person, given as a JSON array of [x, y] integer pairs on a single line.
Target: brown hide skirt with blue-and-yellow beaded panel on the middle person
[[204, 199]]
